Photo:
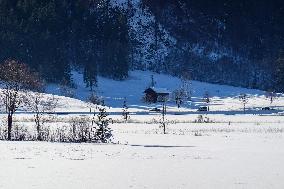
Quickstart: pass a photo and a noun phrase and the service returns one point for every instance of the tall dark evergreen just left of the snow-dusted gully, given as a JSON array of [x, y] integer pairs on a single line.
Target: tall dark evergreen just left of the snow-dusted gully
[[115, 47]]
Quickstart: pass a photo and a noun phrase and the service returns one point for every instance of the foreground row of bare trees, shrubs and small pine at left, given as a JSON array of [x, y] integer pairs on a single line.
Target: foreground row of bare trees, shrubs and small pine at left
[[18, 80]]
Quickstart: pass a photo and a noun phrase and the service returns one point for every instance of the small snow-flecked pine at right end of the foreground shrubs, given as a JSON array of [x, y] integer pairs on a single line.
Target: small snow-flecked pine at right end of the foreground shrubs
[[103, 133]]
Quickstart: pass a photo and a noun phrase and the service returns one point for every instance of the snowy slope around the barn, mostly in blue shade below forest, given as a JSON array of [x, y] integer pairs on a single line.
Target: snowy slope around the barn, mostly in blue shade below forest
[[222, 97]]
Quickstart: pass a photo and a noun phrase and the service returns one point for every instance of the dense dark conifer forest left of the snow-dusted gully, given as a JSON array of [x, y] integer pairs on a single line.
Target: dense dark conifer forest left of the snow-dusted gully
[[53, 36]]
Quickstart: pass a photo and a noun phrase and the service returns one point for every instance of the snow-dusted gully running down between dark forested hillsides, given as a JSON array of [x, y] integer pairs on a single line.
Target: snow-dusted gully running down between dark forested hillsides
[[143, 27]]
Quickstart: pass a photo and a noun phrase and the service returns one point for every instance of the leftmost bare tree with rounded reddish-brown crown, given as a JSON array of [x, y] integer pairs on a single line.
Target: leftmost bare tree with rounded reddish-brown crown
[[16, 79]]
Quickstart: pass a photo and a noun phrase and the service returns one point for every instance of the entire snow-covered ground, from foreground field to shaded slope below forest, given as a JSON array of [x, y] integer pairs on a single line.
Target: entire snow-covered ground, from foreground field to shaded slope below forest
[[232, 150]]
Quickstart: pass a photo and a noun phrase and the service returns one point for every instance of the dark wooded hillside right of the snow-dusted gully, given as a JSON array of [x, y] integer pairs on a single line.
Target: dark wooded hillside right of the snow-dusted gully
[[234, 42]]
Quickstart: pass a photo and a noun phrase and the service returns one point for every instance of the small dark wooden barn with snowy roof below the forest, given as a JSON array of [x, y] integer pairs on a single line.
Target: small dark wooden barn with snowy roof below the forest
[[154, 95]]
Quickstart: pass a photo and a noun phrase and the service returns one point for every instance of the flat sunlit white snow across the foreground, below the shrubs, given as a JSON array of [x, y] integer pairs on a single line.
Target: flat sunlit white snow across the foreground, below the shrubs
[[223, 156]]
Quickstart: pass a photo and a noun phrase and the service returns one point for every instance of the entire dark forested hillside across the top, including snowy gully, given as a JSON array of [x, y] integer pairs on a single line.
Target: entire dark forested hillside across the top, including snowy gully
[[228, 42]]
